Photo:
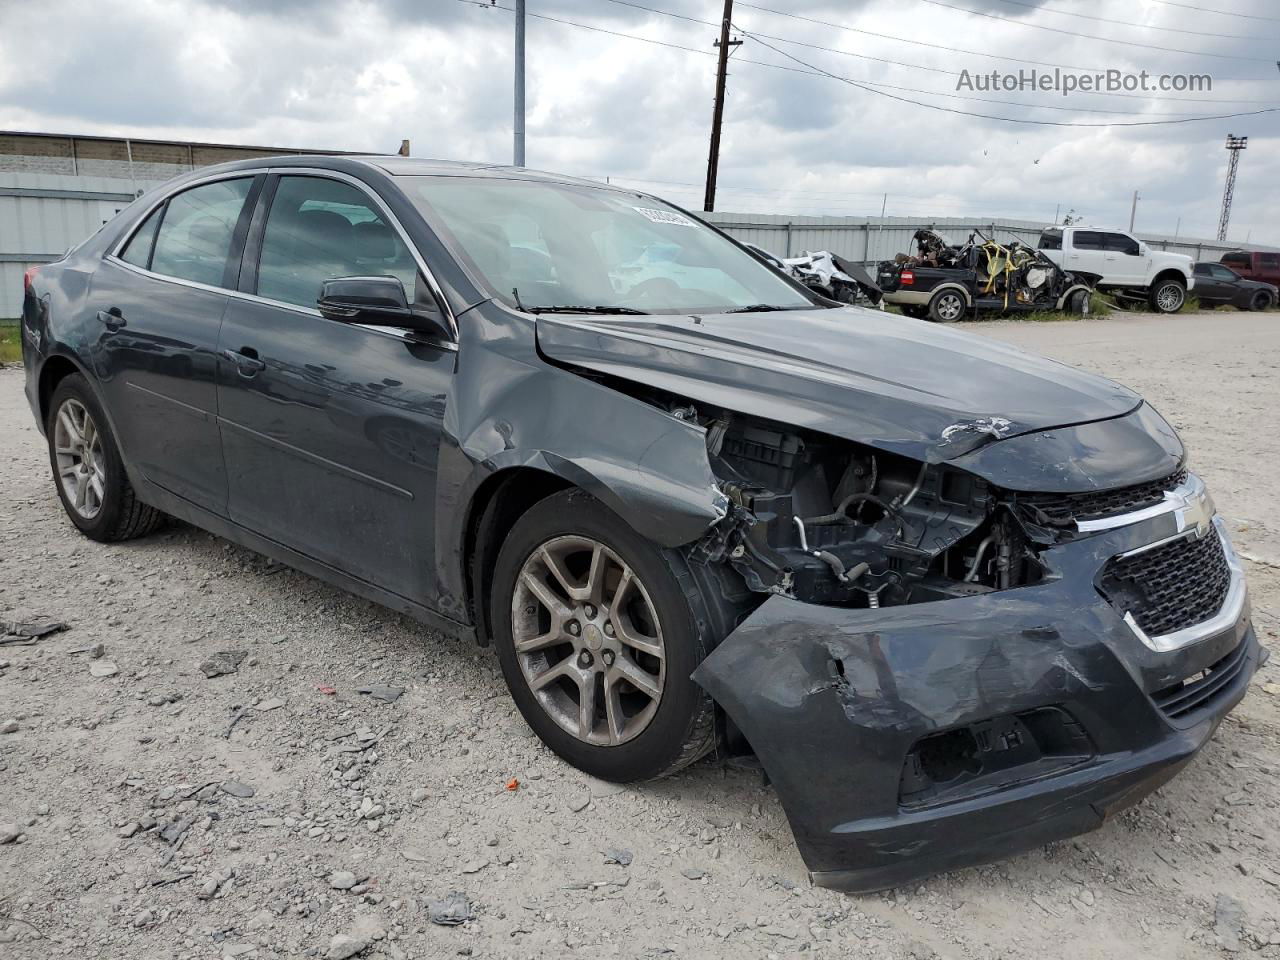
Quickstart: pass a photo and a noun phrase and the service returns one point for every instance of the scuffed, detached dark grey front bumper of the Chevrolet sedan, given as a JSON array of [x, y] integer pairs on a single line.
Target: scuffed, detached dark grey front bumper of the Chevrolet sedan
[[842, 706]]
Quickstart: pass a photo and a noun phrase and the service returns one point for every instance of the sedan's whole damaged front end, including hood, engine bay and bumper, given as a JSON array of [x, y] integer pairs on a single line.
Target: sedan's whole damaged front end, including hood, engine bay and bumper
[[973, 633]]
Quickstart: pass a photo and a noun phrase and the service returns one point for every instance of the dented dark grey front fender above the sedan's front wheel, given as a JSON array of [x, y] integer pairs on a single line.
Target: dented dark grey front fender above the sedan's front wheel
[[513, 409]]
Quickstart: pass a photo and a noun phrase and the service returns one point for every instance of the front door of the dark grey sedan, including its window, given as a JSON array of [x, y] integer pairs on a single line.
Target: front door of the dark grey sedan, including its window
[[331, 432]]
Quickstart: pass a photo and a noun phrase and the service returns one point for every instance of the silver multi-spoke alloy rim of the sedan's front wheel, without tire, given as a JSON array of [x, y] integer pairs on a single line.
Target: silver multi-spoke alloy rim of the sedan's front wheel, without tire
[[588, 641]]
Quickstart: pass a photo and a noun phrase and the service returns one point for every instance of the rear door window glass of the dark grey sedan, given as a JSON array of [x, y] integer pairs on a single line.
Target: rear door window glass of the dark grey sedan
[[195, 237]]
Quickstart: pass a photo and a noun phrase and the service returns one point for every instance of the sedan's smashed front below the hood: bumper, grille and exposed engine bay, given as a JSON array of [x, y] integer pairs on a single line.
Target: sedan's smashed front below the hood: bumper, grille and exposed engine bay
[[948, 671]]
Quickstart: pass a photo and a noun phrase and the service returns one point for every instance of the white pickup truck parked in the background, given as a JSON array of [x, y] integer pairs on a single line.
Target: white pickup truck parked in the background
[[1127, 267]]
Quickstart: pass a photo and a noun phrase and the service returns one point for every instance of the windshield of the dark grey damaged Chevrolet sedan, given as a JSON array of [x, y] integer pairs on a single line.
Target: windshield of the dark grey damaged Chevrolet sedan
[[546, 246]]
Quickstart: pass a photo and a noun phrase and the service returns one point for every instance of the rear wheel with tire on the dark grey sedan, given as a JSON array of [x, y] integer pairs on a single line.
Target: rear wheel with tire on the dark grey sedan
[[88, 470]]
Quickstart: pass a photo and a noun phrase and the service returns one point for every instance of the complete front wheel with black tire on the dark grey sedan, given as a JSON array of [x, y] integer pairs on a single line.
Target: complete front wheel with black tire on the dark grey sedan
[[636, 732]]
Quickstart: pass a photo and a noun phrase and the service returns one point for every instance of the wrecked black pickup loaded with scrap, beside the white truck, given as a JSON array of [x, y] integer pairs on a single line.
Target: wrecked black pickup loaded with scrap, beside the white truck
[[944, 281]]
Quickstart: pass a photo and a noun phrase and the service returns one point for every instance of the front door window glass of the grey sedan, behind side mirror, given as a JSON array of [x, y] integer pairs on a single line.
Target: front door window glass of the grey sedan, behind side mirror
[[319, 230]]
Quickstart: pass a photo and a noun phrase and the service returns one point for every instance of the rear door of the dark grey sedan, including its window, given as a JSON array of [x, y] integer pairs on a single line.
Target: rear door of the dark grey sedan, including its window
[[159, 305]]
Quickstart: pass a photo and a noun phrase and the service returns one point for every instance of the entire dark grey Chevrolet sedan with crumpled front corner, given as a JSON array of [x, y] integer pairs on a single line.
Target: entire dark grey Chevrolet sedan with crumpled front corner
[[958, 601]]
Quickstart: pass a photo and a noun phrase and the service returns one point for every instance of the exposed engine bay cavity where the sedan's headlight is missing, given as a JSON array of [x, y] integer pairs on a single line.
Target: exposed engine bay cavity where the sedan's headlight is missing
[[829, 522]]
